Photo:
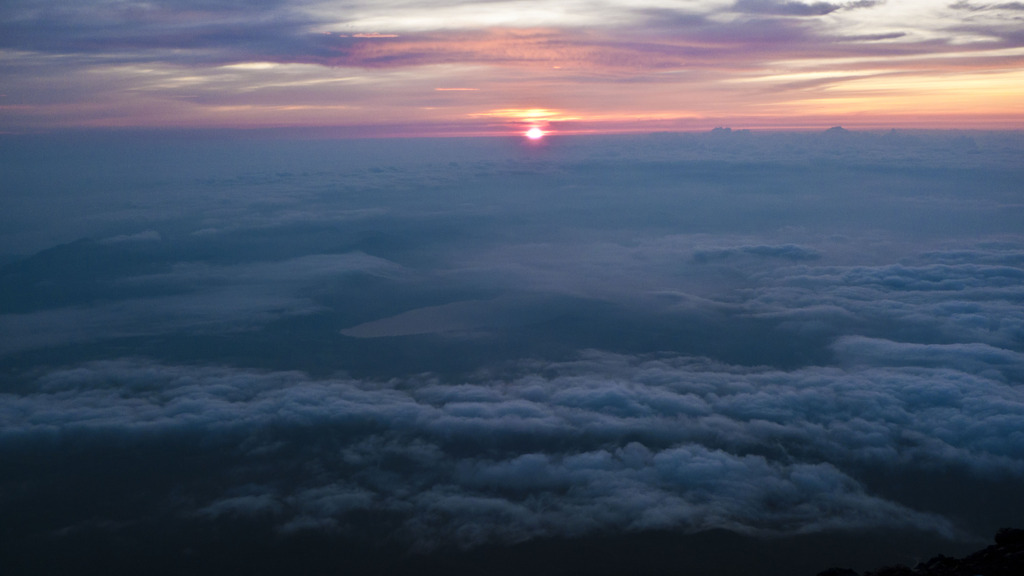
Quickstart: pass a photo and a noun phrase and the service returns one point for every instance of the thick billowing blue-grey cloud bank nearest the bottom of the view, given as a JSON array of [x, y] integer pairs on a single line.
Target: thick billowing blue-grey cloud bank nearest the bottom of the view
[[605, 443]]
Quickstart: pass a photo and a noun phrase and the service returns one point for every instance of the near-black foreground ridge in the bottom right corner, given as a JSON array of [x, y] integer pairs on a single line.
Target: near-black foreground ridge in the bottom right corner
[[1006, 558]]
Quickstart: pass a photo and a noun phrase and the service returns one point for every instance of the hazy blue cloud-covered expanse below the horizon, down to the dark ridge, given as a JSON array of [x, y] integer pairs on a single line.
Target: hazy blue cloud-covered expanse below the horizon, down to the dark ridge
[[719, 354]]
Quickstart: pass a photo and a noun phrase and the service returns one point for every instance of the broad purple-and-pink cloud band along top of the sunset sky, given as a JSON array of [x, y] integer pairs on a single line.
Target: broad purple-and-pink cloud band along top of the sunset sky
[[278, 34]]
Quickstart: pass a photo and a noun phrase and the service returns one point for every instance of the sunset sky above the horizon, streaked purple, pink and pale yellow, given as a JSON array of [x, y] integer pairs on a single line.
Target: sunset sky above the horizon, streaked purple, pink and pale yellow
[[391, 68]]
